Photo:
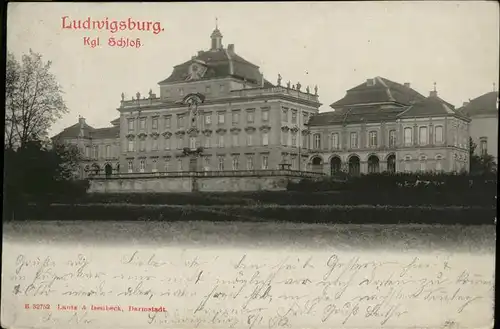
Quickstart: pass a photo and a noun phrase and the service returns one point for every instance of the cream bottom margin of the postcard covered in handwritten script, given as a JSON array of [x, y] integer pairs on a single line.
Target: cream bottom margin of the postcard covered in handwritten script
[[237, 288]]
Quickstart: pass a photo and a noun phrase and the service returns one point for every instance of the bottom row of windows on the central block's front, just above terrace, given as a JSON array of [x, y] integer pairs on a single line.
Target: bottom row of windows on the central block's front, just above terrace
[[221, 162]]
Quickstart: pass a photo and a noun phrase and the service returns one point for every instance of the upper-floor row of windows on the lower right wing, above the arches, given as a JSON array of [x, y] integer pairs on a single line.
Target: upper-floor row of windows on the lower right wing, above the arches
[[373, 138]]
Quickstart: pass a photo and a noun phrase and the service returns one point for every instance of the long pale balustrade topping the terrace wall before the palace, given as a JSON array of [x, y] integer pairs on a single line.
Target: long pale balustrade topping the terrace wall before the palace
[[223, 173]]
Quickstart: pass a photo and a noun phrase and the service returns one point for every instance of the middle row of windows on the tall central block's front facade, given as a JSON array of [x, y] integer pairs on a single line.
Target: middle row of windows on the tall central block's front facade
[[221, 141]]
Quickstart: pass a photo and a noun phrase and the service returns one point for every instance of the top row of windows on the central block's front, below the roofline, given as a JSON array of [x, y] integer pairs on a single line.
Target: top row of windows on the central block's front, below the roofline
[[221, 117]]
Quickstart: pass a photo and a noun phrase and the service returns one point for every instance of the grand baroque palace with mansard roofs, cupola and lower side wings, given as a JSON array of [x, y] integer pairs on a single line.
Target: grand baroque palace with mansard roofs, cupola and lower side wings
[[216, 112]]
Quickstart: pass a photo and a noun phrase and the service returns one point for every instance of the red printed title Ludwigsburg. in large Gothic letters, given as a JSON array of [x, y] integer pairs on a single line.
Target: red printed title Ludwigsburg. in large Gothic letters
[[111, 25]]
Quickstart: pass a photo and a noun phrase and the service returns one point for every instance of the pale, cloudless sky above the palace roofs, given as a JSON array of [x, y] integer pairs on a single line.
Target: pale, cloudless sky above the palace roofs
[[333, 45]]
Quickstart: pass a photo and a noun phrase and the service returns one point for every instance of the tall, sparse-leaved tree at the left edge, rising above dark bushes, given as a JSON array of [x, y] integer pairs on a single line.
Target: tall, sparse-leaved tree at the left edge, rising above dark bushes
[[33, 99]]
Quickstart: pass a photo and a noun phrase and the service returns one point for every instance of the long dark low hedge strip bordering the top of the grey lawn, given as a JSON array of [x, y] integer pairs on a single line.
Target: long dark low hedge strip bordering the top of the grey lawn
[[313, 214]]
